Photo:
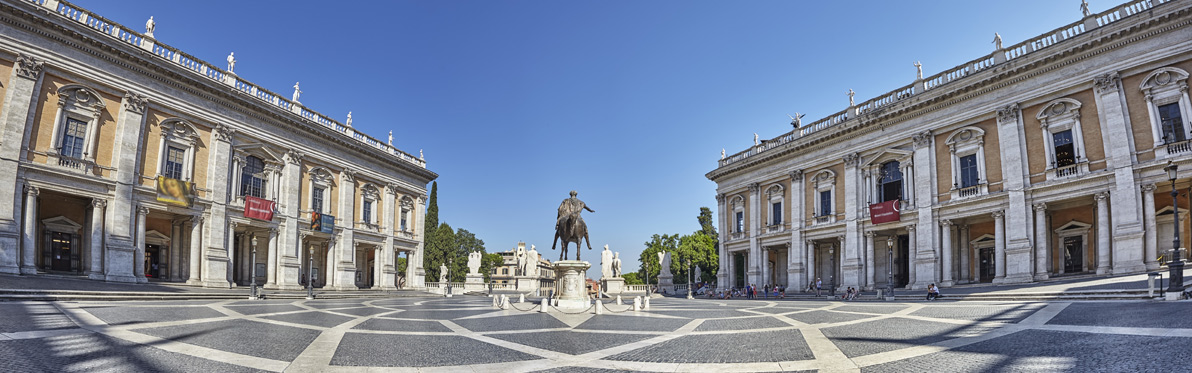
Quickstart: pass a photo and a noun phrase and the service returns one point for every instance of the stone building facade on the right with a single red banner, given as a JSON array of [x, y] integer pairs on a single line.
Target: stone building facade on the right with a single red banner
[[1044, 159]]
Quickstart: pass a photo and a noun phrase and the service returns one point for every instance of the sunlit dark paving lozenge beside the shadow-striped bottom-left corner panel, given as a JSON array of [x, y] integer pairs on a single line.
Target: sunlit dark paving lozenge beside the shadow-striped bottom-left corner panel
[[241, 337]]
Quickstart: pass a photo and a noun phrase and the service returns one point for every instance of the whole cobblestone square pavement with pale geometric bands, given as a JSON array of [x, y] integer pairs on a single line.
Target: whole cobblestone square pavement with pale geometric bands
[[467, 334]]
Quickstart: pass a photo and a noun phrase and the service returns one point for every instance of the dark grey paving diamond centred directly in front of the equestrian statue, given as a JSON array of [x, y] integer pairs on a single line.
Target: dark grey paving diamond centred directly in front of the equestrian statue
[[572, 343]]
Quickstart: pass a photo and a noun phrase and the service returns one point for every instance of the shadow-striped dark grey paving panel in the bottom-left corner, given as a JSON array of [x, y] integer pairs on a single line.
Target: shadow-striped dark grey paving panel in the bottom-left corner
[[100, 353]]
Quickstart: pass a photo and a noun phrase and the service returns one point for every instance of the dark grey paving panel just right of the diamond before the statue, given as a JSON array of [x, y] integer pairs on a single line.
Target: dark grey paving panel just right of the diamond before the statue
[[722, 349]]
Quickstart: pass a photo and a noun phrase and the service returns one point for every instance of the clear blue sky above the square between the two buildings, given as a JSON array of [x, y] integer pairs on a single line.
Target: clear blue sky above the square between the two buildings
[[629, 103]]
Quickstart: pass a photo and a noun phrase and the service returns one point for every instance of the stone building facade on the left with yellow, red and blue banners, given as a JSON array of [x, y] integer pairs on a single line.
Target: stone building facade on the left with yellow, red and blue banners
[[125, 159]]
